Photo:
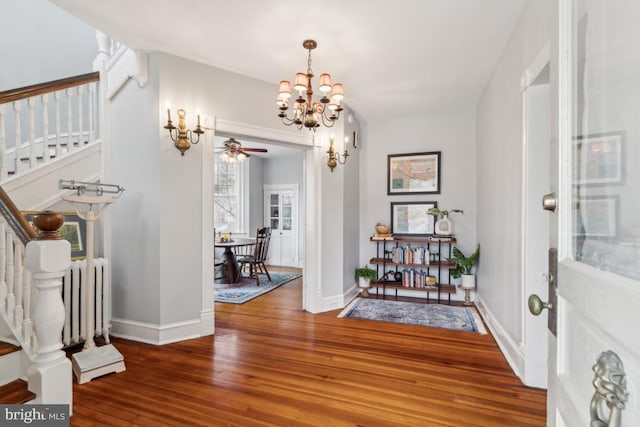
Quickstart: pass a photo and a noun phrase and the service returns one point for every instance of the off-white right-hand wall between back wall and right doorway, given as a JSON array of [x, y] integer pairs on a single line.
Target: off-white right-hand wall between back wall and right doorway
[[499, 177]]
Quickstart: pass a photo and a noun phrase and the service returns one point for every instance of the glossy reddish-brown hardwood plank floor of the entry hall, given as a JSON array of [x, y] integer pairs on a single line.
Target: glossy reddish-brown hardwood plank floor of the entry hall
[[271, 363]]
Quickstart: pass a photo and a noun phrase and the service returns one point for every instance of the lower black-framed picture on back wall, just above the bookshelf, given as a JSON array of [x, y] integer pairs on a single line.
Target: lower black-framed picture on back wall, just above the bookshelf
[[412, 219]]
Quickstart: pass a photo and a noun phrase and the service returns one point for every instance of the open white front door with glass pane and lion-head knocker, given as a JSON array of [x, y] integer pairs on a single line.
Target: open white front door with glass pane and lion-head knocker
[[598, 280]]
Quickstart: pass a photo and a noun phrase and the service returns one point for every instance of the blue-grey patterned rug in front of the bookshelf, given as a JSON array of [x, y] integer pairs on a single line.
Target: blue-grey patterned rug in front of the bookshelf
[[413, 313]]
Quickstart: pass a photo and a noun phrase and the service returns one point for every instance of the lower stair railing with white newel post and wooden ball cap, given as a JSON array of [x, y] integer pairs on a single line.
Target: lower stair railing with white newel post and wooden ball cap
[[31, 269]]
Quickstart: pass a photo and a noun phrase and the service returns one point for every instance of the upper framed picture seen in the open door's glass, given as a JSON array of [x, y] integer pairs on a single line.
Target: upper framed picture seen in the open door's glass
[[598, 159]]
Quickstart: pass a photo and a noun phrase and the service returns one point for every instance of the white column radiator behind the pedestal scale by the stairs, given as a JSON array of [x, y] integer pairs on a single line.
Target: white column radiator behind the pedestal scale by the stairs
[[74, 295]]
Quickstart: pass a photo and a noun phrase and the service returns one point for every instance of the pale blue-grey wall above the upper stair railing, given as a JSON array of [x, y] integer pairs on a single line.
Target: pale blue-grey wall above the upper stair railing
[[40, 42]]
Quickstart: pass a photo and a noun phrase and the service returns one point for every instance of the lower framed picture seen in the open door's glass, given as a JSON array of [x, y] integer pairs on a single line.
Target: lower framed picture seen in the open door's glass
[[596, 216]]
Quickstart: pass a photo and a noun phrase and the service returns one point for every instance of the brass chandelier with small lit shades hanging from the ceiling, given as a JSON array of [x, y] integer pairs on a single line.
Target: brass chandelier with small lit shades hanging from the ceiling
[[306, 112]]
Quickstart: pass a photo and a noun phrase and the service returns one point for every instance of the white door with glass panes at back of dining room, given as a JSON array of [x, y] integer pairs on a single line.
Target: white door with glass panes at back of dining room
[[281, 214]]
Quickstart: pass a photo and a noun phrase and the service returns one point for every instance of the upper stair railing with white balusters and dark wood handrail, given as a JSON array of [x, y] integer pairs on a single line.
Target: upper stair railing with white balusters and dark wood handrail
[[33, 132]]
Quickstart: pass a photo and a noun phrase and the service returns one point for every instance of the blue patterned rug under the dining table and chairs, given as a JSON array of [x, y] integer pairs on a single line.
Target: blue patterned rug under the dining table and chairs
[[246, 289]]
